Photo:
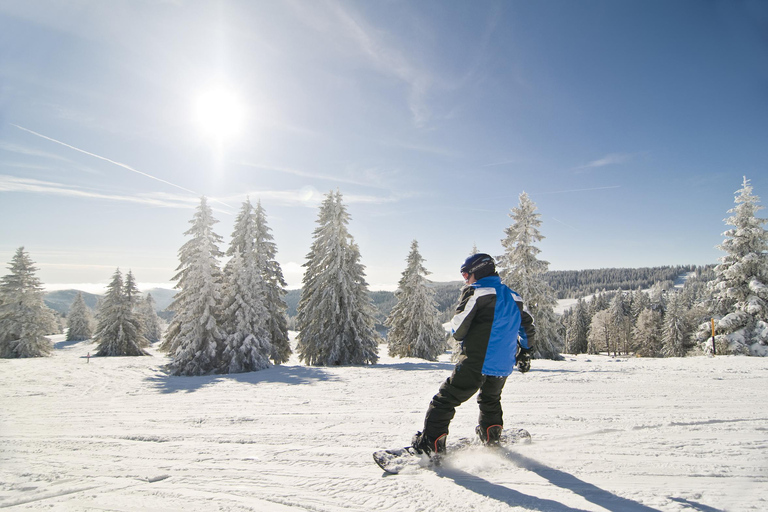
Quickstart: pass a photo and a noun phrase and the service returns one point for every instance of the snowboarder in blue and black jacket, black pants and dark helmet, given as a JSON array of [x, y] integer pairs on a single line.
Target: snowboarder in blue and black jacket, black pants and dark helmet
[[496, 332]]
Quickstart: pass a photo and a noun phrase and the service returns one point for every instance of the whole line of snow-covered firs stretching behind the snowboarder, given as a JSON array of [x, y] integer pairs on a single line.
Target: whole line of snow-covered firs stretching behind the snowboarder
[[233, 319]]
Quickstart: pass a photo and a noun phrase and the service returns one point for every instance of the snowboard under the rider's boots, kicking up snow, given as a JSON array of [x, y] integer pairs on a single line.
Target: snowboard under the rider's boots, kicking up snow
[[395, 460]]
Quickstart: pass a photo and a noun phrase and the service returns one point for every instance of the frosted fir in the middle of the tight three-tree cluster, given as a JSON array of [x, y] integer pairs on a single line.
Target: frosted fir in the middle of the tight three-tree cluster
[[244, 316]]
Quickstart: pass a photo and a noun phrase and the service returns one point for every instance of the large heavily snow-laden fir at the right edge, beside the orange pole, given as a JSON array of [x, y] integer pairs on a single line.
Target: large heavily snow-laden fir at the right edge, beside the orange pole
[[740, 288]]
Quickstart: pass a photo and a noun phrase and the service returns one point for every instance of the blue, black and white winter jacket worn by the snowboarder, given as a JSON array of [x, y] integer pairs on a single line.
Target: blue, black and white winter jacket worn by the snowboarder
[[489, 320]]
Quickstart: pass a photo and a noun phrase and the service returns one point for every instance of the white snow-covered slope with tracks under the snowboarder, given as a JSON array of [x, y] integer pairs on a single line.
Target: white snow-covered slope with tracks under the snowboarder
[[609, 434]]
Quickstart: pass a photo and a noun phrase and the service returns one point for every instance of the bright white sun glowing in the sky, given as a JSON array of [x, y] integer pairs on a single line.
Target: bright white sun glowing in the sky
[[220, 114]]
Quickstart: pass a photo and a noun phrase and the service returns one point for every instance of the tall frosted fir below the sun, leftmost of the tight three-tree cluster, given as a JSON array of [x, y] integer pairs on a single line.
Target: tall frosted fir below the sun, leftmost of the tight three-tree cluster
[[195, 338]]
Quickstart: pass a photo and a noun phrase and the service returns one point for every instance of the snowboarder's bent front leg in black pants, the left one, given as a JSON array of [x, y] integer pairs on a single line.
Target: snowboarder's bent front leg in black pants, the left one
[[457, 389]]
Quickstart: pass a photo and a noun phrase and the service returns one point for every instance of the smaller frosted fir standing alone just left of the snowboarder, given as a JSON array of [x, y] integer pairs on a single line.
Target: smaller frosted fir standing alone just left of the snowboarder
[[414, 326]]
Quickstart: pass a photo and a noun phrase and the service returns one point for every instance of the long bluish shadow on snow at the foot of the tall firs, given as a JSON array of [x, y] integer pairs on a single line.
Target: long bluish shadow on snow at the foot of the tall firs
[[294, 375]]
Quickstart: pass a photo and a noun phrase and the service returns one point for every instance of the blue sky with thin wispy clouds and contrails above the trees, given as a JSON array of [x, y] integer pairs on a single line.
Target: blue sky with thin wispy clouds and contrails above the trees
[[630, 124]]
